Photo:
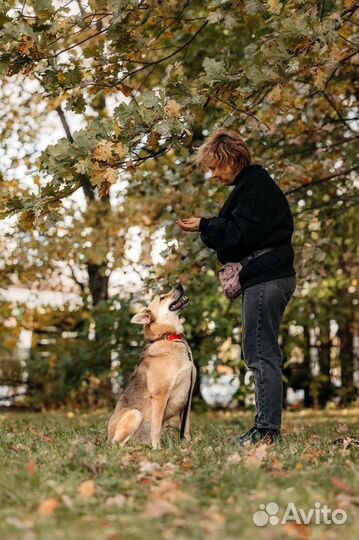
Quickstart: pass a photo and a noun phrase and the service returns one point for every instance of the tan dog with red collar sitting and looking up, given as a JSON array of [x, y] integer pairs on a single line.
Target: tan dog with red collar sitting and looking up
[[162, 384]]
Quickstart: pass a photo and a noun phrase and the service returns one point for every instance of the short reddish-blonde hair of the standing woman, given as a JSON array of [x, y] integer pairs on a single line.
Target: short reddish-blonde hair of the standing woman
[[225, 147]]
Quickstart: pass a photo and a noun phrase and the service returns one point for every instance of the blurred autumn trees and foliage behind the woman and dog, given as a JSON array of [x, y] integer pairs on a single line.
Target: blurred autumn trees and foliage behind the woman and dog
[[102, 105]]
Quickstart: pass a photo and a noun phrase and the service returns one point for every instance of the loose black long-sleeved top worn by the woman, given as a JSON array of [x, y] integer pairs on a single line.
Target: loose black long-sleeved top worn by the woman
[[255, 215]]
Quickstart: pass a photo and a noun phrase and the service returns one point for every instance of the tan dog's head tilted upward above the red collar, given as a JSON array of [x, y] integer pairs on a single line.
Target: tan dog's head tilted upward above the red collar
[[164, 309]]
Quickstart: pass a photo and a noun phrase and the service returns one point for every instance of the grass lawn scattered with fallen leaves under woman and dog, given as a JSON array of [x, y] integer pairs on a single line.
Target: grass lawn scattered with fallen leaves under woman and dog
[[60, 479]]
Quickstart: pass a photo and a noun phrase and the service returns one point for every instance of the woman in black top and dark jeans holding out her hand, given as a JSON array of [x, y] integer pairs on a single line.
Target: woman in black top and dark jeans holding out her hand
[[255, 217]]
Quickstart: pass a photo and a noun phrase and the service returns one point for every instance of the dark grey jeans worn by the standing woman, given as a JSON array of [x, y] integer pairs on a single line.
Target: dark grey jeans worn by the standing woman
[[263, 307]]
